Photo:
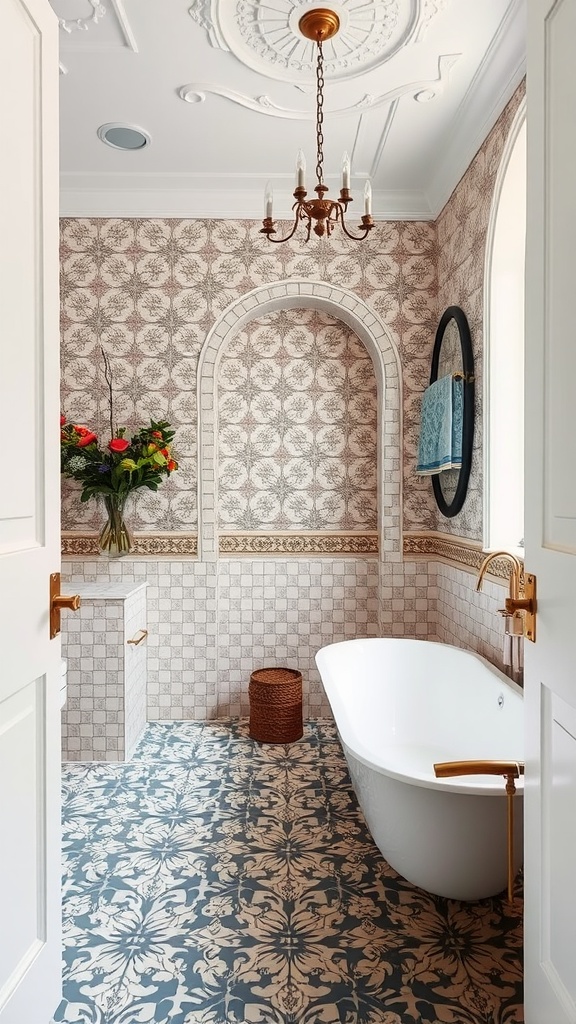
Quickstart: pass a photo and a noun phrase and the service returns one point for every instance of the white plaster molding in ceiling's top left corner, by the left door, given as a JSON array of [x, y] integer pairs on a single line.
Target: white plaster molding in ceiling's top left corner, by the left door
[[101, 27]]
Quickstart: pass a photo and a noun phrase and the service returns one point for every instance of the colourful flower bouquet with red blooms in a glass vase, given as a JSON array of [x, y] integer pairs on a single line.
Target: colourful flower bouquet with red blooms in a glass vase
[[116, 470]]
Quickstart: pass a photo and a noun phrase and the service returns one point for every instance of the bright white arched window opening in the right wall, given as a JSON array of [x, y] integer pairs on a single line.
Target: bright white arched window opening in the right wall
[[505, 353]]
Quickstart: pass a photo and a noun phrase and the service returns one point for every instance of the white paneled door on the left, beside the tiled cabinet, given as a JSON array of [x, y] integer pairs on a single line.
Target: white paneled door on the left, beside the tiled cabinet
[[30, 869]]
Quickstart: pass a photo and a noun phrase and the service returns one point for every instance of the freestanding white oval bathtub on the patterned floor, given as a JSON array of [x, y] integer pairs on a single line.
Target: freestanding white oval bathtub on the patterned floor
[[401, 706]]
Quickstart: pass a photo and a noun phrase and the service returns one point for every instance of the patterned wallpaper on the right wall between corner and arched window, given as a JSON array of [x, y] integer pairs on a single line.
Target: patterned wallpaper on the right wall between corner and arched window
[[463, 228]]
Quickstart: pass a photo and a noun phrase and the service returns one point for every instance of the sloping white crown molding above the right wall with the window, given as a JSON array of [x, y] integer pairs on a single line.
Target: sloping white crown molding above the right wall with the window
[[482, 107]]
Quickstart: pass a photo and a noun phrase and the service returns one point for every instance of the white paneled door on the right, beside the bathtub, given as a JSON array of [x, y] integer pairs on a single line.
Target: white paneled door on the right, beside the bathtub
[[551, 516]]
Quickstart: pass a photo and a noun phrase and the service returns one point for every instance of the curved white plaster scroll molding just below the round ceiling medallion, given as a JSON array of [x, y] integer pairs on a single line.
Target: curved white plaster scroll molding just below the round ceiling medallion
[[196, 93]]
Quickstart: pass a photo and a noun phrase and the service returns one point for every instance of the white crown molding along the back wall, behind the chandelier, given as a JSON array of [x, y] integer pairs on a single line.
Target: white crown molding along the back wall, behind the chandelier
[[199, 197]]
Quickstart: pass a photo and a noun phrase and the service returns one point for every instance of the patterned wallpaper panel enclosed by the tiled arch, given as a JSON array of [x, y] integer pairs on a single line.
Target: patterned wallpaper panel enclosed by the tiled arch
[[298, 428]]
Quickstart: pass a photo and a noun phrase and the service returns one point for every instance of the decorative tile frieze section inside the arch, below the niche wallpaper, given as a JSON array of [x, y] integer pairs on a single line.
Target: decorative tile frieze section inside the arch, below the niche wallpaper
[[299, 544]]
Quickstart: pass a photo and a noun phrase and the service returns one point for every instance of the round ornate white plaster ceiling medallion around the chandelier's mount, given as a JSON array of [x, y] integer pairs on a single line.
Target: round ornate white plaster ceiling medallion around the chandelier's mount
[[267, 37]]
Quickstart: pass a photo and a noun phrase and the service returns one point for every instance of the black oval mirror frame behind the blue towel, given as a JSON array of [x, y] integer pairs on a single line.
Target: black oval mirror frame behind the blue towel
[[450, 509]]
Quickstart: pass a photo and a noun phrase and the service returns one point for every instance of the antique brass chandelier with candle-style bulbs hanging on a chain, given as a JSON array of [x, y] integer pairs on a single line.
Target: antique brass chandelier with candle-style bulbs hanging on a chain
[[323, 214]]
